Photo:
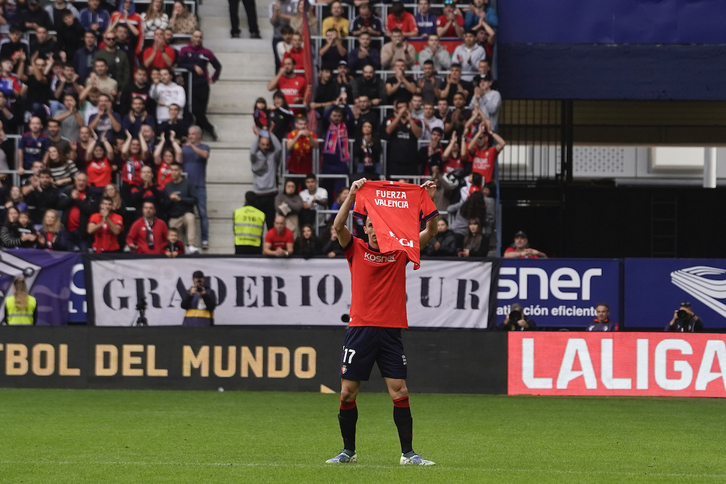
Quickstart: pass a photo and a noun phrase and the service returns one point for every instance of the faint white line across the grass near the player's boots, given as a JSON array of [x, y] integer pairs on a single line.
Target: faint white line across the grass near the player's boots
[[359, 466]]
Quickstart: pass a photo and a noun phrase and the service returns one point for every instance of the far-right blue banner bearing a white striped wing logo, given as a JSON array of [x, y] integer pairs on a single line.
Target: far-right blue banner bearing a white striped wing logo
[[655, 288]]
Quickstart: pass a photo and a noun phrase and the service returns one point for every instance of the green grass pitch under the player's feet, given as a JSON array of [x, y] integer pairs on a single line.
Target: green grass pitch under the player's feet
[[253, 437]]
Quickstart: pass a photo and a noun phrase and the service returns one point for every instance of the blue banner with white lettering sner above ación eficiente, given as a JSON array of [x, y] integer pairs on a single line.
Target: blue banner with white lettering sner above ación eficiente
[[559, 292]]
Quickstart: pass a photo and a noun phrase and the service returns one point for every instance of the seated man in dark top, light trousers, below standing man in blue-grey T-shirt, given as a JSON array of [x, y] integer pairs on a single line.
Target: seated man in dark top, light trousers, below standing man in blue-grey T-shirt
[[181, 198]]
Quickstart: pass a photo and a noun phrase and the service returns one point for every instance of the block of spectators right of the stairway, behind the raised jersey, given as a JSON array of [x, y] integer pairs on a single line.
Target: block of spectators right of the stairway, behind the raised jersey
[[407, 98]]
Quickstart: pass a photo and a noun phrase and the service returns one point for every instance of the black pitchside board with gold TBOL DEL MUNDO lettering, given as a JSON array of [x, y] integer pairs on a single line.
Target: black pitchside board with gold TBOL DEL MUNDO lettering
[[233, 358]]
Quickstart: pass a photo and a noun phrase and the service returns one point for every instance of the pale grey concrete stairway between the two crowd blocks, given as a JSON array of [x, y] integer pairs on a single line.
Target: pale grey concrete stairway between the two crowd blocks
[[247, 66]]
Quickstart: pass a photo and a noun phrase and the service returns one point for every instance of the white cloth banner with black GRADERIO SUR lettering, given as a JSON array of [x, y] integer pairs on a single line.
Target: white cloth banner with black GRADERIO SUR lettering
[[251, 291]]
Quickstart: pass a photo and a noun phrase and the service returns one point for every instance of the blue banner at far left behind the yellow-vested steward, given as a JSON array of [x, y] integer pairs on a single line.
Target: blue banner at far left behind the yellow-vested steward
[[48, 277]]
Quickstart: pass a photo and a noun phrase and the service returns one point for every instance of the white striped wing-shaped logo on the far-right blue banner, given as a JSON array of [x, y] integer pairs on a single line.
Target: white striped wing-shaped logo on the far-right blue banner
[[707, 284]]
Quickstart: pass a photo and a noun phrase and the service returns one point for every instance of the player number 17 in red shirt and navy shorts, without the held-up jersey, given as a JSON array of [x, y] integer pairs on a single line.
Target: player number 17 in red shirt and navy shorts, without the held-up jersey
[[377, 316]]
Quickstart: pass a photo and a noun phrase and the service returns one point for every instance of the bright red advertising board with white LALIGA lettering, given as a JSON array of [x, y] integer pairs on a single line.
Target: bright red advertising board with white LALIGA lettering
[[635, 364]]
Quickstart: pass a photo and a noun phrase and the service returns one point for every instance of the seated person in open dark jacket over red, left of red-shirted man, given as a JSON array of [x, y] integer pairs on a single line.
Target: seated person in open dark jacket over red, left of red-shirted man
[[78, 205]]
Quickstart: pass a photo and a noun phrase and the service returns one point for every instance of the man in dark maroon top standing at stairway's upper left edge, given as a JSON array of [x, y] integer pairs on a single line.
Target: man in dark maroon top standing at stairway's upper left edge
[[196, 58]]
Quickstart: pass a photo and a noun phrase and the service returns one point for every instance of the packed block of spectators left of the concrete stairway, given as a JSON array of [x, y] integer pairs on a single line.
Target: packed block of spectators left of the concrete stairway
[[102, 109]]
